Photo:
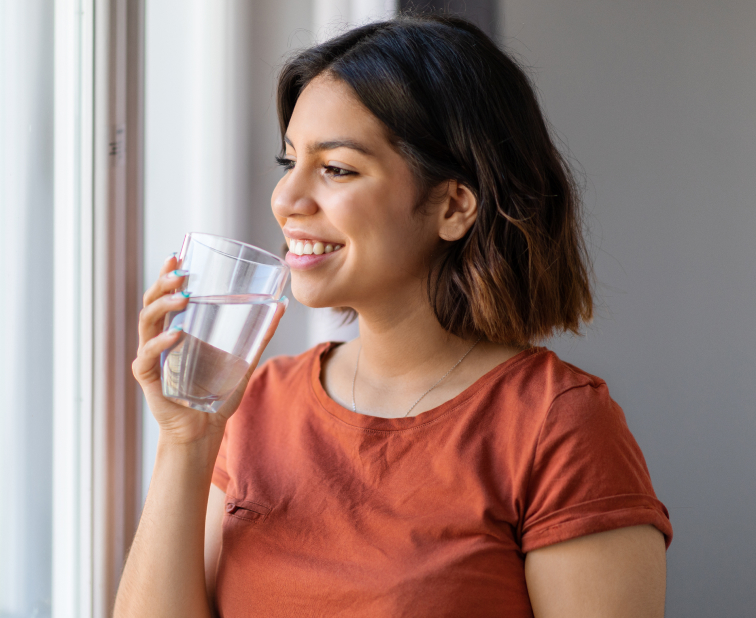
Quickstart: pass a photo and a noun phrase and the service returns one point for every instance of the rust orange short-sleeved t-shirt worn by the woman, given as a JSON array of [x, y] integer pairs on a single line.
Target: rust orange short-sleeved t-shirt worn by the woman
[[334, 513]]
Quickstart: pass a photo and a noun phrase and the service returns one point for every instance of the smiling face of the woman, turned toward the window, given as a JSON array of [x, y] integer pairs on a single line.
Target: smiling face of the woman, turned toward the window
[[347, 188]]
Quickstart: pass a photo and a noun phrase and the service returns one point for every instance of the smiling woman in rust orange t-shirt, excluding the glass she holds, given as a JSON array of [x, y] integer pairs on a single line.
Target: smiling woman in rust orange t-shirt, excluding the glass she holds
[[438, 465]]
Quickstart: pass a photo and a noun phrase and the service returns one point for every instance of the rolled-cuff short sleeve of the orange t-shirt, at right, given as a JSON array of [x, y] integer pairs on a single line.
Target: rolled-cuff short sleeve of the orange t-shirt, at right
[[588, 473]]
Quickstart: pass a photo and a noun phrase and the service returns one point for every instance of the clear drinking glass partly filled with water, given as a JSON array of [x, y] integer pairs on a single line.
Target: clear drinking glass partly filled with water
[[235, 290]]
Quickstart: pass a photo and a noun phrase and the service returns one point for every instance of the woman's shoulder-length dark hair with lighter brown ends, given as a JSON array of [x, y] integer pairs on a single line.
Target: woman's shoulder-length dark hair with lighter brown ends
[[458, 108]]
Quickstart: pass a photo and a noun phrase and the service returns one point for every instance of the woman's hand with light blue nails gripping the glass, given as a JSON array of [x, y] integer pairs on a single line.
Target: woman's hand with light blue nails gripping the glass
[[178, 423]]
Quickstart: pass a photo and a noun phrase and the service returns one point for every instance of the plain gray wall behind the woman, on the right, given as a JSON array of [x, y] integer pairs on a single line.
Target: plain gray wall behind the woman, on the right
[[656, 100]]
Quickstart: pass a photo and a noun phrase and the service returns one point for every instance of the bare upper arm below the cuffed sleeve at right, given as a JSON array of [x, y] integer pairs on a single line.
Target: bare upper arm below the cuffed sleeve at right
[[616, 574]]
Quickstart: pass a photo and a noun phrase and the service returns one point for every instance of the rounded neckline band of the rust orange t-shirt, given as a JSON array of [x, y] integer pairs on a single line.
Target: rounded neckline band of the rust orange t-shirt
[[377, 423]]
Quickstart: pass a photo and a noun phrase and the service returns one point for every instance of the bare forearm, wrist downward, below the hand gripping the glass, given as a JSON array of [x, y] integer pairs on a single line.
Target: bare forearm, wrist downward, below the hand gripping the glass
[[164, 573]]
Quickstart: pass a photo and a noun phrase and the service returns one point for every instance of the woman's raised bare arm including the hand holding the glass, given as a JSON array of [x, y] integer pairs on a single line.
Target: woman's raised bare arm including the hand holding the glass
[[164, 573]]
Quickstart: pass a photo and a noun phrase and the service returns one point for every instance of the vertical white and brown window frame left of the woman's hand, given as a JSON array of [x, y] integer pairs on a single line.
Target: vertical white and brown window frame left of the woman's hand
[[97, 296]]
